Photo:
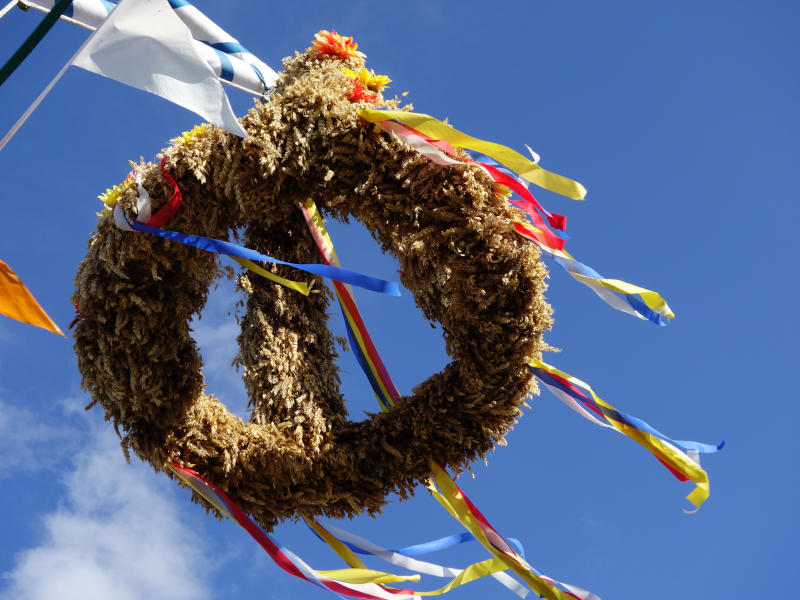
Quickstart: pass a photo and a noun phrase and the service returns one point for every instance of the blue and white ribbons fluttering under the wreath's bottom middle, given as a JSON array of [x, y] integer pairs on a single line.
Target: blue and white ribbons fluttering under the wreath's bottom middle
[[406, 557]]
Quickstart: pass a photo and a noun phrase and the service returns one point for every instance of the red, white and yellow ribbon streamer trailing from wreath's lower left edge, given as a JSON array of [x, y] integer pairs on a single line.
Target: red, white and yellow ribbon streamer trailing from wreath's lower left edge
[[354, 583]]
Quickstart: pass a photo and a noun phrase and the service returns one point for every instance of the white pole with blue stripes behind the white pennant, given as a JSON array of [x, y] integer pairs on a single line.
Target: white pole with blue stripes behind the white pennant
[[230, 60]]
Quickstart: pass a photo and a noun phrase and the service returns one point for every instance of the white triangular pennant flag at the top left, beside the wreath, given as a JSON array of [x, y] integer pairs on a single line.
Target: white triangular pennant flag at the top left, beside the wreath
[[144, 44]]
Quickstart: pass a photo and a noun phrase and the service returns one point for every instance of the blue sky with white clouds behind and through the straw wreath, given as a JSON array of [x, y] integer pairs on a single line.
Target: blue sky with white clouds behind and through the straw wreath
[[680, 118]]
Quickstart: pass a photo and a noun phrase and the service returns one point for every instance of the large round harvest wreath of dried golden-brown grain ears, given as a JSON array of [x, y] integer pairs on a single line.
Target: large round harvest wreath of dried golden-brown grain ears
[[299, 454]]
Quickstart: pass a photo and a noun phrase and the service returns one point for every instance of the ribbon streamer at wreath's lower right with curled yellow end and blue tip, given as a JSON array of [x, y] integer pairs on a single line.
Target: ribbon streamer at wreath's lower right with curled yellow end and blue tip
[[680, 457]]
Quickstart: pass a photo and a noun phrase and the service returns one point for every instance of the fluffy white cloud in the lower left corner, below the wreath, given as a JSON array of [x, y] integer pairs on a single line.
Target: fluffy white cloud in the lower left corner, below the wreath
[[117, 534]]
